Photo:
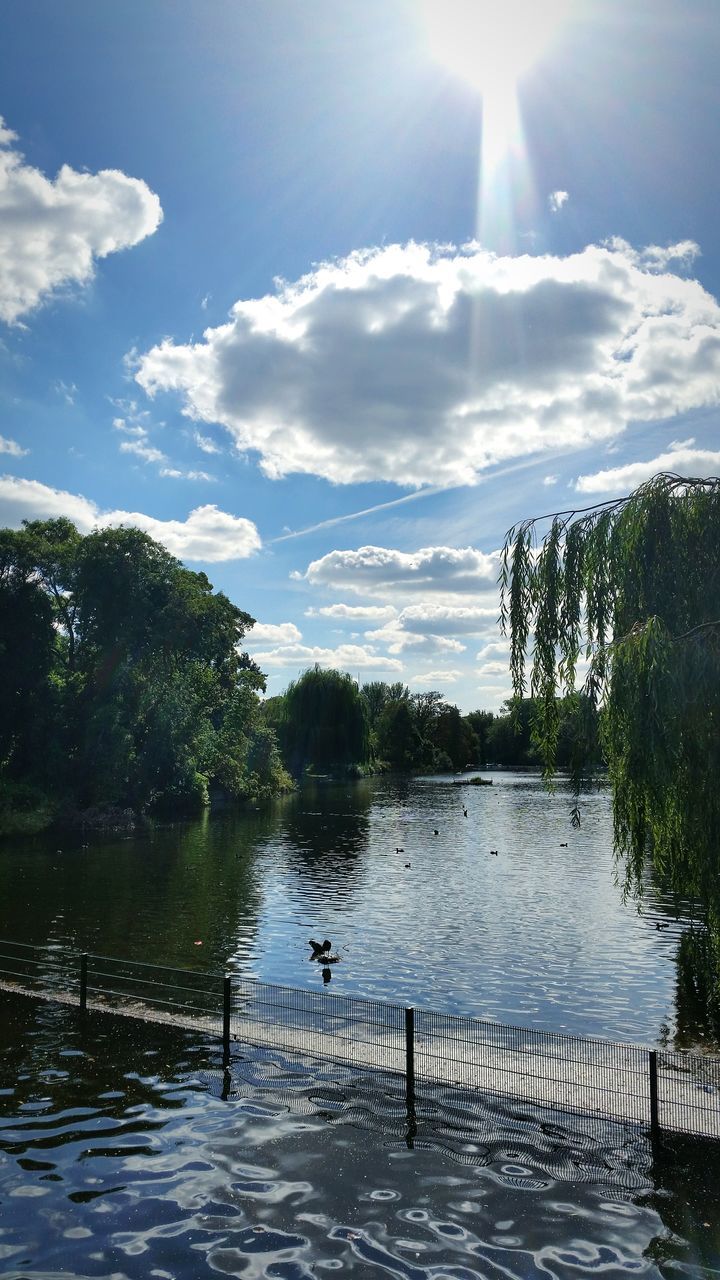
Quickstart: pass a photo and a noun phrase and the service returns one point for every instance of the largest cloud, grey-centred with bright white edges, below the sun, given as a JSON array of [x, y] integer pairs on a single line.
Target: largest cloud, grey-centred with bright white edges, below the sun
[[359, 371]]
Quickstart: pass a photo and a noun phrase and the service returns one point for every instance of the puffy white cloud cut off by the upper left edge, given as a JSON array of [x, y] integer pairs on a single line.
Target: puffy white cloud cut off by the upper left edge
[[52, 231]]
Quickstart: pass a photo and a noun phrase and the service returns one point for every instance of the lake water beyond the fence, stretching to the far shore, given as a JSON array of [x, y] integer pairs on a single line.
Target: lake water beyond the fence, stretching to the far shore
[[537, 935]]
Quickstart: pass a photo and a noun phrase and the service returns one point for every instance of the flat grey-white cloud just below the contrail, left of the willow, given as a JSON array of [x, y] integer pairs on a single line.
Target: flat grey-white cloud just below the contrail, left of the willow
[[381, 572]]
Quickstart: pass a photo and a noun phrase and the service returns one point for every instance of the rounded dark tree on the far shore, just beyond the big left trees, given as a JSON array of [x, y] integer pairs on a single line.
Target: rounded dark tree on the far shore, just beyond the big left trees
[[325, 723]]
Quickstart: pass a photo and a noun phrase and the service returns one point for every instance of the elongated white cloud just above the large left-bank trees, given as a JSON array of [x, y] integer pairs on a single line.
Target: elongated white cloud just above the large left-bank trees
[[207, 534]]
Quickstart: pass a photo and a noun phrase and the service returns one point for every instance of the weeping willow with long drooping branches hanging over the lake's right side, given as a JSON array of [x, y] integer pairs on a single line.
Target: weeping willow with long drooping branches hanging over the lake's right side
[[632, 587]]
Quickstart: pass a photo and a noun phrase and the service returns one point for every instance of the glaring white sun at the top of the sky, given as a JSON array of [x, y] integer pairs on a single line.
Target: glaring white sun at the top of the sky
[[491, 44]]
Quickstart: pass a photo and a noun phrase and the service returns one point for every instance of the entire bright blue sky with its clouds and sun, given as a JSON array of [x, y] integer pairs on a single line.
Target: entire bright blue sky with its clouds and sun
[[327, 296]]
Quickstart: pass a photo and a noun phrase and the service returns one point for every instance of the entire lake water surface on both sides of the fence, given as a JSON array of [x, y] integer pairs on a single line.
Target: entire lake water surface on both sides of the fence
[[126, 1154]]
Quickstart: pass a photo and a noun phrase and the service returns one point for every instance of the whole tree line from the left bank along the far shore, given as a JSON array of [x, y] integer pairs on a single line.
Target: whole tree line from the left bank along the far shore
[[125, 685]]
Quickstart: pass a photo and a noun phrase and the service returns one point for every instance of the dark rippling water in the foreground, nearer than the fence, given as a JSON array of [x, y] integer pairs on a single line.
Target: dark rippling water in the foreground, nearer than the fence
[[119, 1156]]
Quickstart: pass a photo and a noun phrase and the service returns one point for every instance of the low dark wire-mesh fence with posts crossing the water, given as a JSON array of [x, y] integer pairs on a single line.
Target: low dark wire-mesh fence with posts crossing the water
[[654, 1089]]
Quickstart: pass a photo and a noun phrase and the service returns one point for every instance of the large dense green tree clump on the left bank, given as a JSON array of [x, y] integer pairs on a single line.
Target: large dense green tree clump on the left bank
[[124, 675]]
